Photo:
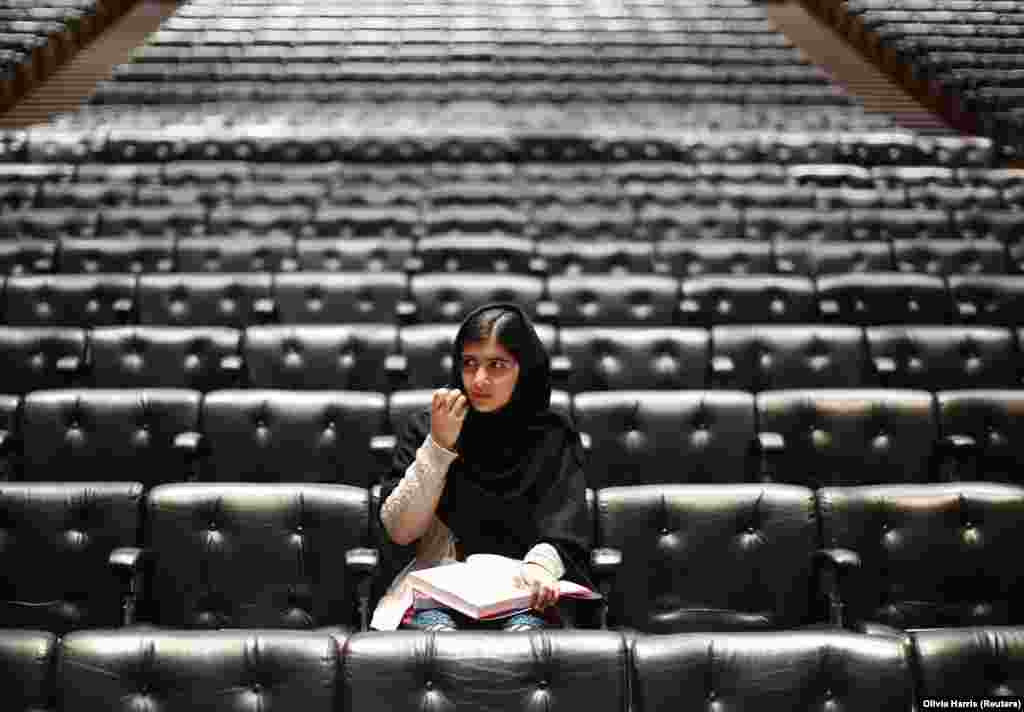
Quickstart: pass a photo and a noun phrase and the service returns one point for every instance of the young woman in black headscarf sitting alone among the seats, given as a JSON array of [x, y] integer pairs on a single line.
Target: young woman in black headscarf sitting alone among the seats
[[491, 469]]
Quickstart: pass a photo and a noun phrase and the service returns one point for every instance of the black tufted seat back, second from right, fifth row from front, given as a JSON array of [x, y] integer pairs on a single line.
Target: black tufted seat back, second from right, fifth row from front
[[882, 299]]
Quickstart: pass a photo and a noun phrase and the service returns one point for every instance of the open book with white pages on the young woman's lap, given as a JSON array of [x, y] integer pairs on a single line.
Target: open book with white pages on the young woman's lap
[[485, 587]]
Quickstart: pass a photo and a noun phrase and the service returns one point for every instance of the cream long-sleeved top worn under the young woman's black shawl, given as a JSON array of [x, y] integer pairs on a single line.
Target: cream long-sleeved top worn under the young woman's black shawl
[[409, 515]]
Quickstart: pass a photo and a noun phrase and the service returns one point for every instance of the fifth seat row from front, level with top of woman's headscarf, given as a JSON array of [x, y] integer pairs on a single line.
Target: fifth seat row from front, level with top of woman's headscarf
[[254, 299]]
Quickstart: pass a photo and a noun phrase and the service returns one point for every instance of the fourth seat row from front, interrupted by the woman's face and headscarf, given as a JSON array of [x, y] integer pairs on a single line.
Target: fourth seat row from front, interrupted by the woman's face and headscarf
[[386, 358]]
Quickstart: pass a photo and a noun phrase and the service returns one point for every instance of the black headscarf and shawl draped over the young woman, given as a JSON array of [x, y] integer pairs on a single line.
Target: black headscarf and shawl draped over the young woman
[[519, 480]]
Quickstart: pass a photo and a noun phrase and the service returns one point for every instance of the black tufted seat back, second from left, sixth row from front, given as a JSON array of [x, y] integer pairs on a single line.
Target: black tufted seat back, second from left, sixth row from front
[[134, 256]]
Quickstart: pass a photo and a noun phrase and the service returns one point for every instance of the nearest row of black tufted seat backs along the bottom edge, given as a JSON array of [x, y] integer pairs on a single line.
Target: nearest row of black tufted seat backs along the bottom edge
[[562, 671]]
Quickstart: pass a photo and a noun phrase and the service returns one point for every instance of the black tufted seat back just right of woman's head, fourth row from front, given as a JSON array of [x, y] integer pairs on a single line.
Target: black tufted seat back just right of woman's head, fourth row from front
[[631, 359]]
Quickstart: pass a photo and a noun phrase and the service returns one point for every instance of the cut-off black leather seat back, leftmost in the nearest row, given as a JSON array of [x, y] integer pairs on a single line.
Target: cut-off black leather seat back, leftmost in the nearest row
[[27, 659]]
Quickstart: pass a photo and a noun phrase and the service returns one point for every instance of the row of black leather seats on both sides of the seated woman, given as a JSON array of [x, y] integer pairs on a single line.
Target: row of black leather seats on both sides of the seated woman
[[281, 556]]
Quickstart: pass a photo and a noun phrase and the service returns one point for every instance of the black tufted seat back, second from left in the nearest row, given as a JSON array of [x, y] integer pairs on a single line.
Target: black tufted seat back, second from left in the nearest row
[[218, 672]]
